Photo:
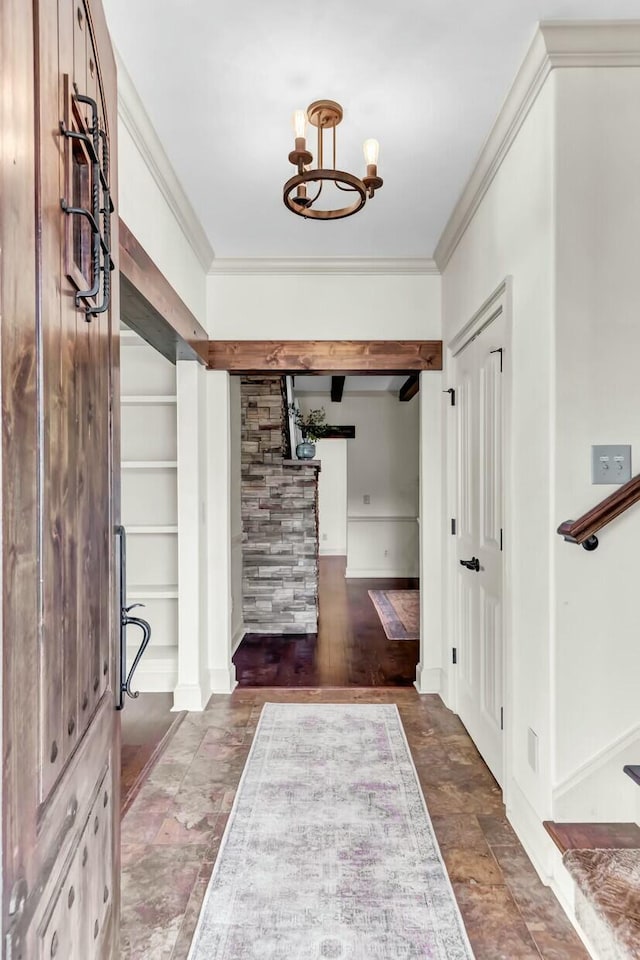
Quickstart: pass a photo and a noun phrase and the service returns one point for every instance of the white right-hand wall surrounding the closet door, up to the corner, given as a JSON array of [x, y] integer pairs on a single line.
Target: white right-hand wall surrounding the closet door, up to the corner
[[512, 233]]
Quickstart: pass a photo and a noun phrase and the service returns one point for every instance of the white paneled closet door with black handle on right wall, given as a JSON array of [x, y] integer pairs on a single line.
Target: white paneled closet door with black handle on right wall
[[479, 539]]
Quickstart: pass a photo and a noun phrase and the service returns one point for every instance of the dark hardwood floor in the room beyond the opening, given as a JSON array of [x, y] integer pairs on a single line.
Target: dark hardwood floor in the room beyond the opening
[[349, 650]]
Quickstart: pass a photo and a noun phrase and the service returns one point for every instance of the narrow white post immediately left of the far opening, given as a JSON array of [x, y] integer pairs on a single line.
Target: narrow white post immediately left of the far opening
[[221, 672]]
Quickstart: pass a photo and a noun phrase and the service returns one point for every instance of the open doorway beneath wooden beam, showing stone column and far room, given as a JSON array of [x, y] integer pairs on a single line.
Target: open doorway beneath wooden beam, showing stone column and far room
[[366, 544]]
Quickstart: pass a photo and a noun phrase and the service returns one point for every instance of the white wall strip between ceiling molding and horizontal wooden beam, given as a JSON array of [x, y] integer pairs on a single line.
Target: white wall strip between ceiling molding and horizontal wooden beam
[[323, 307]]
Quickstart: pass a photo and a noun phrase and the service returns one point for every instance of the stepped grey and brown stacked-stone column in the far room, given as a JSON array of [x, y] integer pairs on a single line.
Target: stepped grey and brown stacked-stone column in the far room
[[279, 519]]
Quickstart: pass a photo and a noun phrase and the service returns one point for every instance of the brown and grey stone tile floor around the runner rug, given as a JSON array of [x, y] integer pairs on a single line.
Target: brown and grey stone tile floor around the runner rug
[[171, 834]]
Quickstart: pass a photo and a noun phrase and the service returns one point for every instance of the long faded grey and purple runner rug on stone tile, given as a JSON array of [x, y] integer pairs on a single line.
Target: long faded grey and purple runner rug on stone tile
[[329, 851]]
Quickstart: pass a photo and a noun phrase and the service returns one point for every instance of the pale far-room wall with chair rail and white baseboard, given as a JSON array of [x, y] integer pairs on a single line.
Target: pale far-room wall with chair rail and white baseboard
[[382, 464]]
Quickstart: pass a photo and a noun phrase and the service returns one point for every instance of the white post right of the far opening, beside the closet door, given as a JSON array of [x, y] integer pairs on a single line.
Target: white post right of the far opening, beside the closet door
[[429, 669]]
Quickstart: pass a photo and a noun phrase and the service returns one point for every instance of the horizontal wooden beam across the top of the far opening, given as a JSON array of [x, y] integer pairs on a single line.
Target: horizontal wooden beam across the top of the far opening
[[326, 357]]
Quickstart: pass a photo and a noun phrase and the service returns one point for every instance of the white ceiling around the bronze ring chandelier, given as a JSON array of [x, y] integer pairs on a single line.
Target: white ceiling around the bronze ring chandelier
[[220, 81]]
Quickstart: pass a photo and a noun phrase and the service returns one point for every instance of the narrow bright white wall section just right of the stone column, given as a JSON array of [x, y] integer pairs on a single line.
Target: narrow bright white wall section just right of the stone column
[[332, 497]]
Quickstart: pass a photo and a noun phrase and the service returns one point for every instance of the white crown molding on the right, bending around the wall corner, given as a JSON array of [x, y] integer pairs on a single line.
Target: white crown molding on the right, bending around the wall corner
[[557, 44]]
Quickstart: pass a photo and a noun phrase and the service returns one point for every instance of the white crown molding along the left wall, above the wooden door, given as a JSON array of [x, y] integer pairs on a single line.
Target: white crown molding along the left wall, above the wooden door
[[132, 112]]
